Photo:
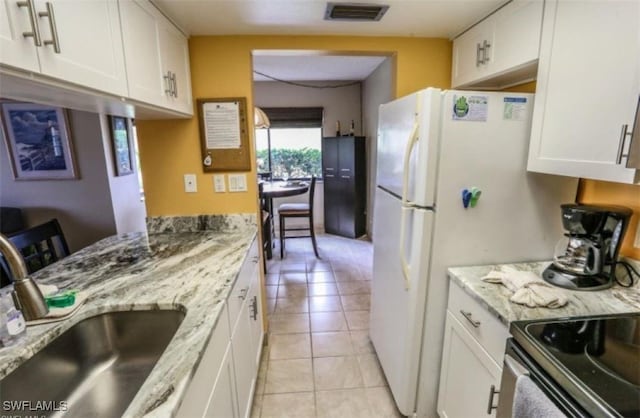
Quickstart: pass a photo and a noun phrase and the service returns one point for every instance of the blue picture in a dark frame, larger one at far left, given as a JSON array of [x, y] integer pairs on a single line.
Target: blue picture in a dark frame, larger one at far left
[[38, 142]]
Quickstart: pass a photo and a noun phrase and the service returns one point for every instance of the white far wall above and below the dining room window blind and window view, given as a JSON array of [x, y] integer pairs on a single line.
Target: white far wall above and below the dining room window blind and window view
[[341, 104]]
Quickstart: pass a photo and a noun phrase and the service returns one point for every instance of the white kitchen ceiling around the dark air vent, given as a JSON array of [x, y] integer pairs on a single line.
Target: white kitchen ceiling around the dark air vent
[[423, 18]]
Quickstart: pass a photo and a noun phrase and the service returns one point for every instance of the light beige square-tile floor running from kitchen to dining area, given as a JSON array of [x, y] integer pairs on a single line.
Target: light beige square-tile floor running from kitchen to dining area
[[320, 361]]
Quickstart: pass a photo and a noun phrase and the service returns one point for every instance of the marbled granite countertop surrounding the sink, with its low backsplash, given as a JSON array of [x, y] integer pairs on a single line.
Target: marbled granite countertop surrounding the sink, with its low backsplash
[[186, 263]]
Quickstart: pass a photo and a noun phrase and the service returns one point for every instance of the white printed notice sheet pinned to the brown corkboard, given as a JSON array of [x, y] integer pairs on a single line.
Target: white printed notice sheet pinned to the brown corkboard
[[222, 125]]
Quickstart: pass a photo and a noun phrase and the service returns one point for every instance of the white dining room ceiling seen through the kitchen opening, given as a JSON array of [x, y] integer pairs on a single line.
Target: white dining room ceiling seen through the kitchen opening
[[314, 67]]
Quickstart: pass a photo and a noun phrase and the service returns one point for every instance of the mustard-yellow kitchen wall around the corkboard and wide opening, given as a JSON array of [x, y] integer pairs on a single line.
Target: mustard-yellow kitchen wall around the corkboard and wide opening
[[221, 67]]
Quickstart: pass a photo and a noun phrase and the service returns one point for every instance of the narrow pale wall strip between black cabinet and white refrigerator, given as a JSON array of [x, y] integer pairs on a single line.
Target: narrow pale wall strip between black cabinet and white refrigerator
[[376, 90]]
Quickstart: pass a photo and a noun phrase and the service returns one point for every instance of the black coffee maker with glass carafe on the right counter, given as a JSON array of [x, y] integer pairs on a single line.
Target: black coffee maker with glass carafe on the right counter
[[585, 257]]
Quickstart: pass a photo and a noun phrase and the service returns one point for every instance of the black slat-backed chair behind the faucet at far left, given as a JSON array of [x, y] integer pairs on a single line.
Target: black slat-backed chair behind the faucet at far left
[[40, 246]]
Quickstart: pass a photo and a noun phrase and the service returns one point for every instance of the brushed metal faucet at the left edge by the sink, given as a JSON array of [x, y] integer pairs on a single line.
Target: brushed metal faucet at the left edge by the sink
[[26, 294]]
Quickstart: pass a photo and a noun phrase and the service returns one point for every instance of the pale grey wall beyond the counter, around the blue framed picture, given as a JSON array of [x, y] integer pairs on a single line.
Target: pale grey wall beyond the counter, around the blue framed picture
[[89, 208]]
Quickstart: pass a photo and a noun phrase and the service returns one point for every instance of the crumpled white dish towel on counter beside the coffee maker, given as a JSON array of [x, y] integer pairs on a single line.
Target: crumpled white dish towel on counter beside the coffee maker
[[527, 287]]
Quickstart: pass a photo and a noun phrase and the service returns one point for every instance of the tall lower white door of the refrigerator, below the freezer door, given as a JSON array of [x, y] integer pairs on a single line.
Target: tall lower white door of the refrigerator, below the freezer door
[[397, 311]]
